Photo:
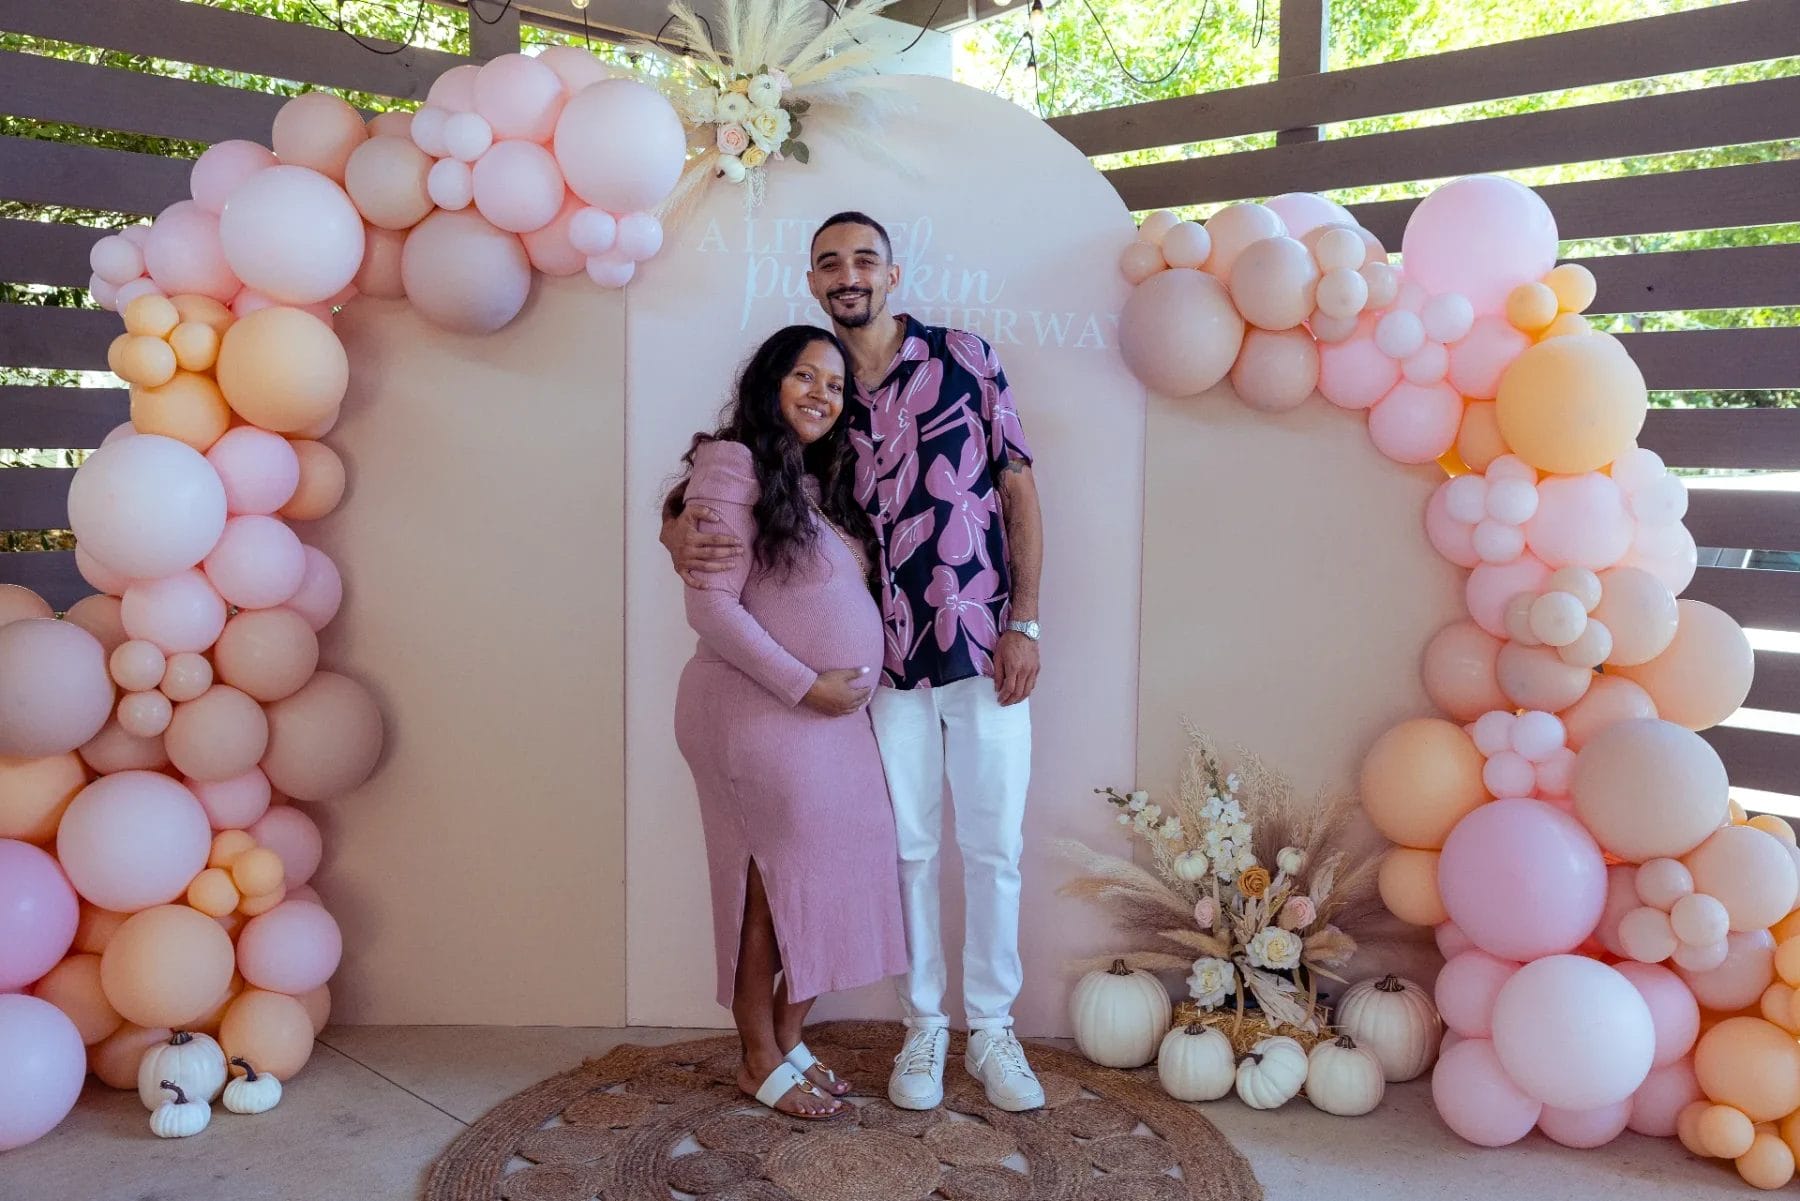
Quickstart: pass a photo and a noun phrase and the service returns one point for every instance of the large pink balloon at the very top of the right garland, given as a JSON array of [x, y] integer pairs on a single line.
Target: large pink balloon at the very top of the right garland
[[1480, 237]]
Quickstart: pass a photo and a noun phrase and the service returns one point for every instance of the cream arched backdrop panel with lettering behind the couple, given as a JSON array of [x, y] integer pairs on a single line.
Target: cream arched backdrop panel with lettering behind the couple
[[1000, 228]]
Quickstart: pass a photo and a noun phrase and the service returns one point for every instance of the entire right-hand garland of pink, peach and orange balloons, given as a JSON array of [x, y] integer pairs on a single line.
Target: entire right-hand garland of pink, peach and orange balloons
[[1623, 944]]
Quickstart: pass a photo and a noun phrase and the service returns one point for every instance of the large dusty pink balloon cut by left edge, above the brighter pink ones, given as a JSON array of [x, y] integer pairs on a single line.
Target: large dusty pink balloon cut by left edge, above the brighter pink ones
[[55, 687]]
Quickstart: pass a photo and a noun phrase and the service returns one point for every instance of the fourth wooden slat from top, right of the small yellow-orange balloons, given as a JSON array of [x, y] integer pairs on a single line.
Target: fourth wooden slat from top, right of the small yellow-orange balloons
[[1680, 280]]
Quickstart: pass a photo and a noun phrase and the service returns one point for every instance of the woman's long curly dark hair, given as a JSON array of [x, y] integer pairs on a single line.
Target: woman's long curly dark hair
[[786, 530]]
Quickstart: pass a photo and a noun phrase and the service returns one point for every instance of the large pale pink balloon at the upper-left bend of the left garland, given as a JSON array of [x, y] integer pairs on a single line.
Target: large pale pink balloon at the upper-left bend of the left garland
[[292, 235]]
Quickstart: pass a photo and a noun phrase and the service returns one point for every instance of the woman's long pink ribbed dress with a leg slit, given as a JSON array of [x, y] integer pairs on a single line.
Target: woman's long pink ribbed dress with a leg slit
[[798, 793]]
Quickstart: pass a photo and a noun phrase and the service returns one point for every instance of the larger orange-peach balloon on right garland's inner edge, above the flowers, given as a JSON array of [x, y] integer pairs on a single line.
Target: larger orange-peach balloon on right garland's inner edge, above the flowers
[[1419, 781]]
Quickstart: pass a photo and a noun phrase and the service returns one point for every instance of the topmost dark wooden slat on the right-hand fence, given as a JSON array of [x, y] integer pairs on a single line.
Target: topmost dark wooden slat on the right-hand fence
[[1734, 33]]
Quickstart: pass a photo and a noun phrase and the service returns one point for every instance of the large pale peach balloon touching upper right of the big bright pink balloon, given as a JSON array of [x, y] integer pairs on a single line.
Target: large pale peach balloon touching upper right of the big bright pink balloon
[[1650, 790]]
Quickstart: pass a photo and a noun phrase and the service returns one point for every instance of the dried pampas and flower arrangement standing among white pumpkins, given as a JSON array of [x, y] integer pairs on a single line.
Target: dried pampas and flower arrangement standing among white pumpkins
[[1250, 890]]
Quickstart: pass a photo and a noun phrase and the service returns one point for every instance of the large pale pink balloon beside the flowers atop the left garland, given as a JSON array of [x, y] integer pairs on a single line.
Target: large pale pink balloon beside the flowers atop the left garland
[[622, 147]]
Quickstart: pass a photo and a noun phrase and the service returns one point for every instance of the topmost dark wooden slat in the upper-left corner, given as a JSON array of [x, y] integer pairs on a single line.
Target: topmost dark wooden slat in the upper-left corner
[[192, 33]]
